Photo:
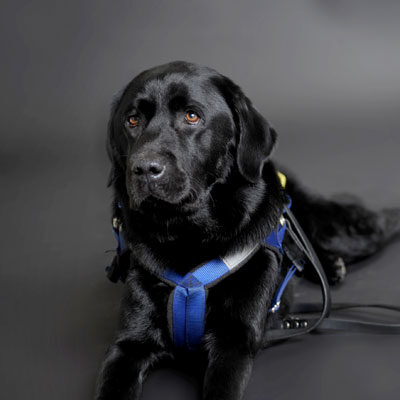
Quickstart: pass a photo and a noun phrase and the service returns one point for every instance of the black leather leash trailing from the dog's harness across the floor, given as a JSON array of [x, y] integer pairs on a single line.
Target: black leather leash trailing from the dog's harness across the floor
[[302, 320]]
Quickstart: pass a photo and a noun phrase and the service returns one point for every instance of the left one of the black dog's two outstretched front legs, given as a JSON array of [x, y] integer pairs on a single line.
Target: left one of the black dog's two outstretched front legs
[[124, 370]]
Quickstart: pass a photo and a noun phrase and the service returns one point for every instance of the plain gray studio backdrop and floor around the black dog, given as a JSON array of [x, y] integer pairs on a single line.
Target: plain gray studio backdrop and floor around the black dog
[[325, 73]]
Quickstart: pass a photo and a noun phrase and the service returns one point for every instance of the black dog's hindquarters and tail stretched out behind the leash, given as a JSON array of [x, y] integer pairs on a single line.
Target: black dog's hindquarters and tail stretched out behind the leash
[[343, 226]]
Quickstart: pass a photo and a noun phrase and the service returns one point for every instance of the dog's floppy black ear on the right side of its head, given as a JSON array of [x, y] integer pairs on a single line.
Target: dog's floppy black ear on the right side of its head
[[257, 138]]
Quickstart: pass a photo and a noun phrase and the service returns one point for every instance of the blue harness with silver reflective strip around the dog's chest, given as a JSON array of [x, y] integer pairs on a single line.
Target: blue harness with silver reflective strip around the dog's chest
[[187, 303]]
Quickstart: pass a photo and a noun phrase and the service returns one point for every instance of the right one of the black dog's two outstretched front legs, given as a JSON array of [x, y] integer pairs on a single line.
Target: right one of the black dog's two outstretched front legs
[[228, 372]]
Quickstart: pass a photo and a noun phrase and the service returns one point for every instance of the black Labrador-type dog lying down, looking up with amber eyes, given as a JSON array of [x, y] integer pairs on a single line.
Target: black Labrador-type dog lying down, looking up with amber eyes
[[191, 172]]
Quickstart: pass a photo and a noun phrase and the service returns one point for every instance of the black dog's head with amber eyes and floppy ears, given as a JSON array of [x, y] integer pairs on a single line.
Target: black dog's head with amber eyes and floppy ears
[[178, 129]]
